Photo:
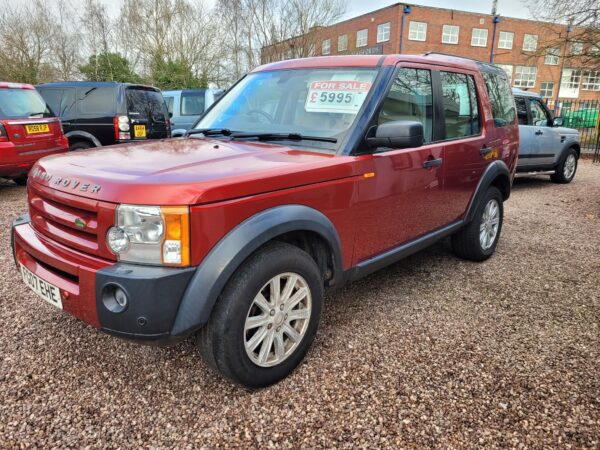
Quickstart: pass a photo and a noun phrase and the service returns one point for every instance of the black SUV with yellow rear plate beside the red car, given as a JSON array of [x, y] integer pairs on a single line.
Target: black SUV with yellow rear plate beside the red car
[[94, 114]]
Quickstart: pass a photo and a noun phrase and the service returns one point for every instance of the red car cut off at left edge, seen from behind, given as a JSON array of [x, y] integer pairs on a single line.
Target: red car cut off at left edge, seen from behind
[[28, 131]]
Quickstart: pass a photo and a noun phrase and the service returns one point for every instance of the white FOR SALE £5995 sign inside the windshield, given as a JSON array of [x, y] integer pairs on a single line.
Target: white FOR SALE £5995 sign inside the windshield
[[342, 97]]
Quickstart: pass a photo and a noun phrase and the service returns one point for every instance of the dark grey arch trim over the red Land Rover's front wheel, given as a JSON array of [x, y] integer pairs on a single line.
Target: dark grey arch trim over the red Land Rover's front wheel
[[230, 252]]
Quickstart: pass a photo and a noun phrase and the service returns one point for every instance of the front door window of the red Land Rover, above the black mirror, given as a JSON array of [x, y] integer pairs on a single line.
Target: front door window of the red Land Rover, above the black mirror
[[410, 98]]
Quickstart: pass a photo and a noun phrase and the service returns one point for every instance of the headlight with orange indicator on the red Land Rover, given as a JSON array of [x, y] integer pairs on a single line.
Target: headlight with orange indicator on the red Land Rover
[[151, 235]]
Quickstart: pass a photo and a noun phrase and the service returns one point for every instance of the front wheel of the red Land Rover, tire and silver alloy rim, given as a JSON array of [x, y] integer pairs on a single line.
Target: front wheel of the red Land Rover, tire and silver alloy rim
[[223, 343]]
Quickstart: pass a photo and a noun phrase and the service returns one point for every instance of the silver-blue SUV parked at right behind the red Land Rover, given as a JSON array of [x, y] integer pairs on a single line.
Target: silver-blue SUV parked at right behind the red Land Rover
[[545, 145]]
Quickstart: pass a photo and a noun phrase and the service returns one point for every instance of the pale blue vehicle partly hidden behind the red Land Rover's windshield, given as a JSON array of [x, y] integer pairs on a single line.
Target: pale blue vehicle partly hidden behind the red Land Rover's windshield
[[187, 106]]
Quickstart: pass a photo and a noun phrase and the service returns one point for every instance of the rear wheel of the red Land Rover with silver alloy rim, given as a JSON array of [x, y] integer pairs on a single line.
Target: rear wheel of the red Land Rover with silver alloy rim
[[468, 243]]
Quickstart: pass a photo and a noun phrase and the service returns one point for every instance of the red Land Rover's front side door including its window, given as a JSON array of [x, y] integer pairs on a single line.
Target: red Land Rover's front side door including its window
[[404, 199]]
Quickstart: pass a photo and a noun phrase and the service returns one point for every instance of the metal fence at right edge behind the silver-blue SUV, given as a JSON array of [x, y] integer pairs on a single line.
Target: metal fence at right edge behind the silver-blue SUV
[[583, 115]]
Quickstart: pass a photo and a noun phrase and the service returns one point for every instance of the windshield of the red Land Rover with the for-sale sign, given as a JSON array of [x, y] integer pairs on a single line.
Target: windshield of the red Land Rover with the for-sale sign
[[313, 102]]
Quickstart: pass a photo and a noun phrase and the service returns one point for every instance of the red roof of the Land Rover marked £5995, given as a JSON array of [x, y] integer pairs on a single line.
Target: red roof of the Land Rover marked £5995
[[371, 61]]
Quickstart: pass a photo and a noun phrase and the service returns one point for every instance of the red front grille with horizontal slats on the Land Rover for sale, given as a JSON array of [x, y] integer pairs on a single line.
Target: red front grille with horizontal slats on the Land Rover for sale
[[70, 220]]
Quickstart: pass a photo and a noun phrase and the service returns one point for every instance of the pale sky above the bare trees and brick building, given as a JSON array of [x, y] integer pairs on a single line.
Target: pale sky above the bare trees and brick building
[[507, 8]]
